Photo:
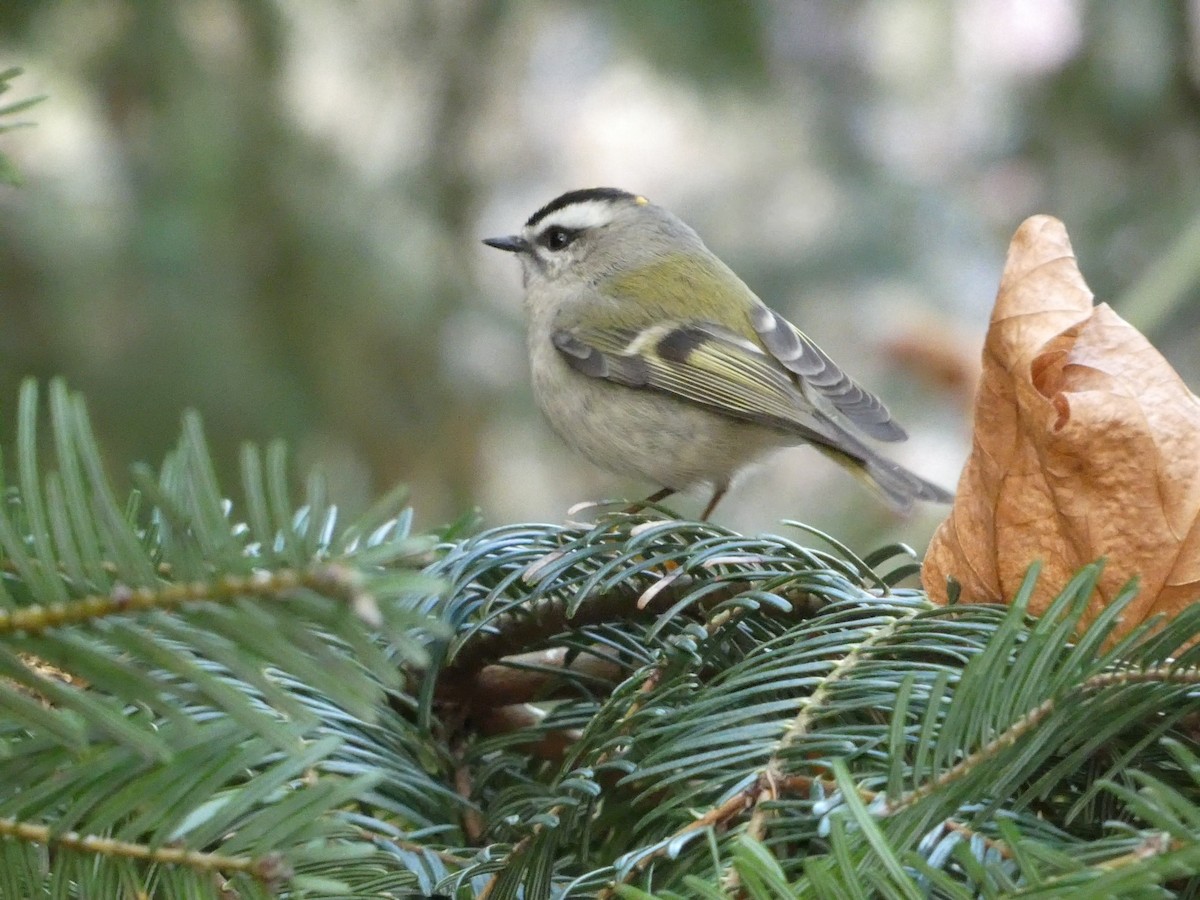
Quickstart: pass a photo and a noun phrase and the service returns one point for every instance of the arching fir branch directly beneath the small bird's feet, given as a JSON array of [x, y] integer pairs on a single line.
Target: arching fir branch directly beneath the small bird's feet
[[663, 567]]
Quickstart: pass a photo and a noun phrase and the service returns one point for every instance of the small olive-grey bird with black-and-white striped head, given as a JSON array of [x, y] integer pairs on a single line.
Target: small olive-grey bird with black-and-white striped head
[[653, 359]]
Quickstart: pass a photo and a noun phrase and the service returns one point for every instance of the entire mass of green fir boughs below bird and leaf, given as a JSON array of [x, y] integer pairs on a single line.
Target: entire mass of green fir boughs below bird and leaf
[[203, 697]]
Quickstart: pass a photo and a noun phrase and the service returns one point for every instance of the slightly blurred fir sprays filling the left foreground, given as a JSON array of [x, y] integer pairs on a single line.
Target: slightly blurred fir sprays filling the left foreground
[[183, 693]]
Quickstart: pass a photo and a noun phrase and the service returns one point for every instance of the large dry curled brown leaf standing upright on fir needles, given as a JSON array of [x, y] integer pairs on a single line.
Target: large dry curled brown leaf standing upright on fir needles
[[1087, 446]]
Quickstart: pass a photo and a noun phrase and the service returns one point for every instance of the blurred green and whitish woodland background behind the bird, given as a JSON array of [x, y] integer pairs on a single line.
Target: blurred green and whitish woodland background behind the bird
[[272, 212]]
